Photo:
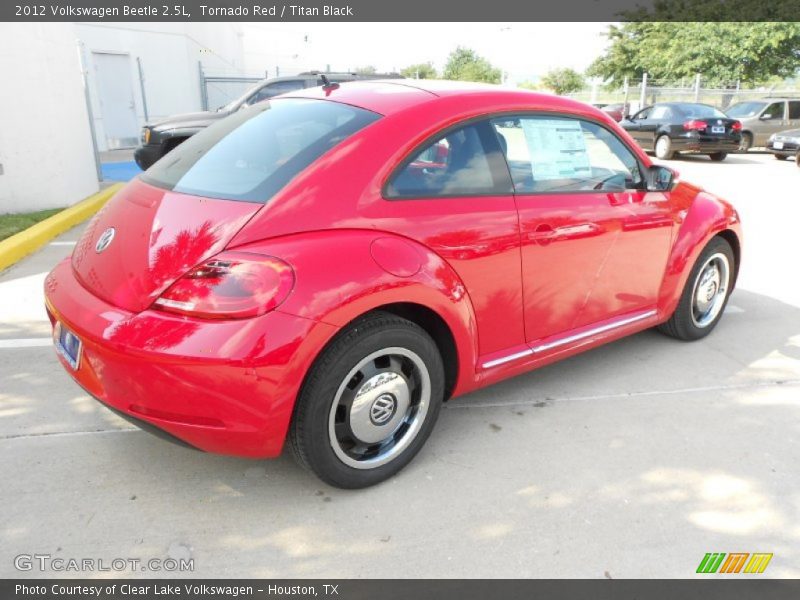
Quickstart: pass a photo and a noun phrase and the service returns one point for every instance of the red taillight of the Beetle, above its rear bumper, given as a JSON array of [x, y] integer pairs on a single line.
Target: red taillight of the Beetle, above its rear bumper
[[232, 285]]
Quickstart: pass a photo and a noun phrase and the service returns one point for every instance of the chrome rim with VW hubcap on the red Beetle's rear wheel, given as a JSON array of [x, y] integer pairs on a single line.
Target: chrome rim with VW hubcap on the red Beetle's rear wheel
[[379, 408]]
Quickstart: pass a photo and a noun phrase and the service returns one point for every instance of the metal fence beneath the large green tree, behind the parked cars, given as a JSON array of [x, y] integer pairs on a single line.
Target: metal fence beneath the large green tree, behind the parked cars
[[646, 91]]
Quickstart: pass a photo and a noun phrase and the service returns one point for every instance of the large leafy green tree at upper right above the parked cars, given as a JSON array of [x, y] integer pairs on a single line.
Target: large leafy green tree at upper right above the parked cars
[[720, 52]]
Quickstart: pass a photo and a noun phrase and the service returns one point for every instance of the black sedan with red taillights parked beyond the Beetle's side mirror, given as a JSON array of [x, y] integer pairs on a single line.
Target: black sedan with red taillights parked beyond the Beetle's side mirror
[[672, 127]]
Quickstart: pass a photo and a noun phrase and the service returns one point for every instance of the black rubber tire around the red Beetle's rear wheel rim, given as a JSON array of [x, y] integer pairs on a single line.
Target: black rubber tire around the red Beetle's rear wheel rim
[[311, 433]]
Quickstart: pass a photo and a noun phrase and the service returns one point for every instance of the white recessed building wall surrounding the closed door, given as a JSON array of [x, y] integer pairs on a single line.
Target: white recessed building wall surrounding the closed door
[[169, 54]]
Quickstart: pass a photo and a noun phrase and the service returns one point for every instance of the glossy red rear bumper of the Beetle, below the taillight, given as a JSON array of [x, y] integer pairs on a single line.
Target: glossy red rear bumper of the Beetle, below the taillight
[[227, 387]]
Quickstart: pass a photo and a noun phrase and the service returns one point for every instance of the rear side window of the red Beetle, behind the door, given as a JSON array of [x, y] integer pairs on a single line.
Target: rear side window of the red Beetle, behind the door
[[462, 162]]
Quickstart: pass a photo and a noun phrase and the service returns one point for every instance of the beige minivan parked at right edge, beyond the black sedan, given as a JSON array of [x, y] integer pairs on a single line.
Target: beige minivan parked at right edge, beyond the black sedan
[[761, 118]]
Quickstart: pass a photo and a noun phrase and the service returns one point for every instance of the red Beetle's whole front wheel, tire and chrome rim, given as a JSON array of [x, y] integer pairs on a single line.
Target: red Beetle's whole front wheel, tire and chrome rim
[[706, 293]]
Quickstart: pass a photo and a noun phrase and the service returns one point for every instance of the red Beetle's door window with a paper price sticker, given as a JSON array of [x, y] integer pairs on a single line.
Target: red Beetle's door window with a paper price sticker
[[559, 154]]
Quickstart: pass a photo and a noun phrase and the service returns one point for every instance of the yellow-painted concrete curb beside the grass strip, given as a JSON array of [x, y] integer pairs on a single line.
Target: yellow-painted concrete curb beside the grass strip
[[21, 244]]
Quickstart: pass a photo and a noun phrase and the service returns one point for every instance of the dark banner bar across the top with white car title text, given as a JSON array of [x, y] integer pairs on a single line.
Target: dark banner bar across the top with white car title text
[[397, 11]]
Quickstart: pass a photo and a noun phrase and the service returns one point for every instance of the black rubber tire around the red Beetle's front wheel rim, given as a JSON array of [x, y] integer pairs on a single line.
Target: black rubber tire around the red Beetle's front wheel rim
[[683, 324]]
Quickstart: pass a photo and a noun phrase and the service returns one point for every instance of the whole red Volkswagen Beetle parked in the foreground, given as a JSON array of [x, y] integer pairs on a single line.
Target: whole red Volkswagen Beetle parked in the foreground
[[325, 269]]
